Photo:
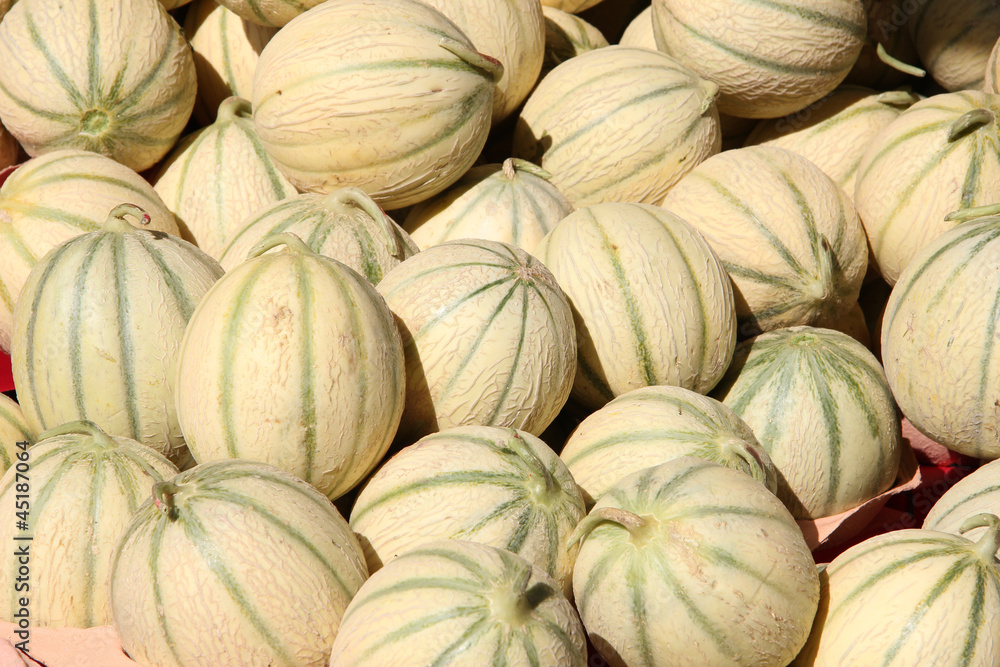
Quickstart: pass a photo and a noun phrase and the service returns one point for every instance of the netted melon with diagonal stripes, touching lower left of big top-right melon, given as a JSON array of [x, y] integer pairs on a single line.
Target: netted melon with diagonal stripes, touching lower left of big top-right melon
[[618, 124]]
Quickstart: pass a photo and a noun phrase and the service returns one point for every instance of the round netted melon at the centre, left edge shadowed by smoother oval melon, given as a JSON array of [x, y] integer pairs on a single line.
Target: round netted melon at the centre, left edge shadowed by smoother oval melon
[[488, 334]]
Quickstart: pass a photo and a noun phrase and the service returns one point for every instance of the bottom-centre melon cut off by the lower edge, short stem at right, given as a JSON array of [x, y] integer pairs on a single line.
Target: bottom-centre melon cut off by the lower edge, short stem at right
[[454, 602]]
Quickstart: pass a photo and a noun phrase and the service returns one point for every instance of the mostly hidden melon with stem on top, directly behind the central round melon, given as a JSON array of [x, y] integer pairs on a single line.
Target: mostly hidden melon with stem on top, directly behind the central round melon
[[513, 203]]
